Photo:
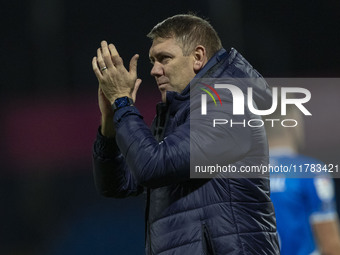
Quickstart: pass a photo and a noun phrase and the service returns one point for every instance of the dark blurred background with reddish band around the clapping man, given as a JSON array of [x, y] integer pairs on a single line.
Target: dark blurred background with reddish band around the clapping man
[[49, 114]]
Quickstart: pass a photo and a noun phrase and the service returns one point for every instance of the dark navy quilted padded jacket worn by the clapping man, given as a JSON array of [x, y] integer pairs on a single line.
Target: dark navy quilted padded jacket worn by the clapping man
[[192, 216]]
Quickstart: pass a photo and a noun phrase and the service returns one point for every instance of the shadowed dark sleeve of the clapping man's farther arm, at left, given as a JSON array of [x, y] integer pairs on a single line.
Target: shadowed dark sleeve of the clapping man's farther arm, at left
[[111, 174]]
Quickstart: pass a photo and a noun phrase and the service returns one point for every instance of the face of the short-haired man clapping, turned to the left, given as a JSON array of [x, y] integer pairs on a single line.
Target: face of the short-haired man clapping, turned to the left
[[171, 69]]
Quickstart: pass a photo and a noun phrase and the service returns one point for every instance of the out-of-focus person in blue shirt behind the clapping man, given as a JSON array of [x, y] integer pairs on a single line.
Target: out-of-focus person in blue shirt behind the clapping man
[[305, 208]]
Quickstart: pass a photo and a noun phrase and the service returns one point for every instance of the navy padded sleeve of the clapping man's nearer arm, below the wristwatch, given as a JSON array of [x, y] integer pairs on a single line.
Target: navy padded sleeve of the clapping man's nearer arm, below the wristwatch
[[154, 164]]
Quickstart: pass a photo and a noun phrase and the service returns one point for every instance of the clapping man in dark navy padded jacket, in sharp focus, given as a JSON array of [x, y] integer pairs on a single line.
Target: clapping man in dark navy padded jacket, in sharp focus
[[183, 215]]
